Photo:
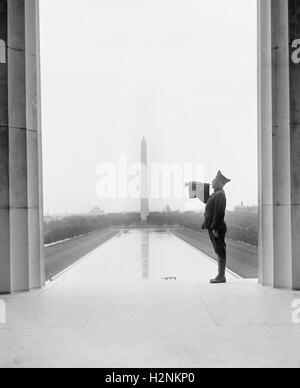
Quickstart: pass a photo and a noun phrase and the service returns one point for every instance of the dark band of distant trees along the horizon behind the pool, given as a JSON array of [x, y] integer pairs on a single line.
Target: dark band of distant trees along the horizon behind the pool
[[242, 226]]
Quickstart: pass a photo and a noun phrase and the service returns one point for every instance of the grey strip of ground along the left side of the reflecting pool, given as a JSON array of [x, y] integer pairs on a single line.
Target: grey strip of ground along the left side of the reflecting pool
[[63, 255]]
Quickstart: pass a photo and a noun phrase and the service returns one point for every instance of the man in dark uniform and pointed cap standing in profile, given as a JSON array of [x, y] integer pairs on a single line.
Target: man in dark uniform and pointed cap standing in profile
[[215, 224]]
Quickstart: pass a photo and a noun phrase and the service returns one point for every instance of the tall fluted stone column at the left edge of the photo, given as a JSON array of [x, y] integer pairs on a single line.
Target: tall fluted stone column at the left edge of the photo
[[22, 265]]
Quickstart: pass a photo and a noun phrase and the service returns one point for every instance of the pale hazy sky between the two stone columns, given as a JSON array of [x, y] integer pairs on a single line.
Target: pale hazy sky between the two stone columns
[[182, 73]]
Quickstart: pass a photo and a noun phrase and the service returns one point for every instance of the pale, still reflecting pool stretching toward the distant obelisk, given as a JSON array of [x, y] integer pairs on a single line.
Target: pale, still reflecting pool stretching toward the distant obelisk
[[147, 255]]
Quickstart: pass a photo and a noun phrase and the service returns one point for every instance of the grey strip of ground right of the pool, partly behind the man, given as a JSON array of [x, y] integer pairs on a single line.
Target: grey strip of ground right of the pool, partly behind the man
[[242, 258]]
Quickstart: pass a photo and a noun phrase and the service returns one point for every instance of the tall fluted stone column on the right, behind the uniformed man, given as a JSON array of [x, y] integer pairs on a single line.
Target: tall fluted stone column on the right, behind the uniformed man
[[279, 142]]
